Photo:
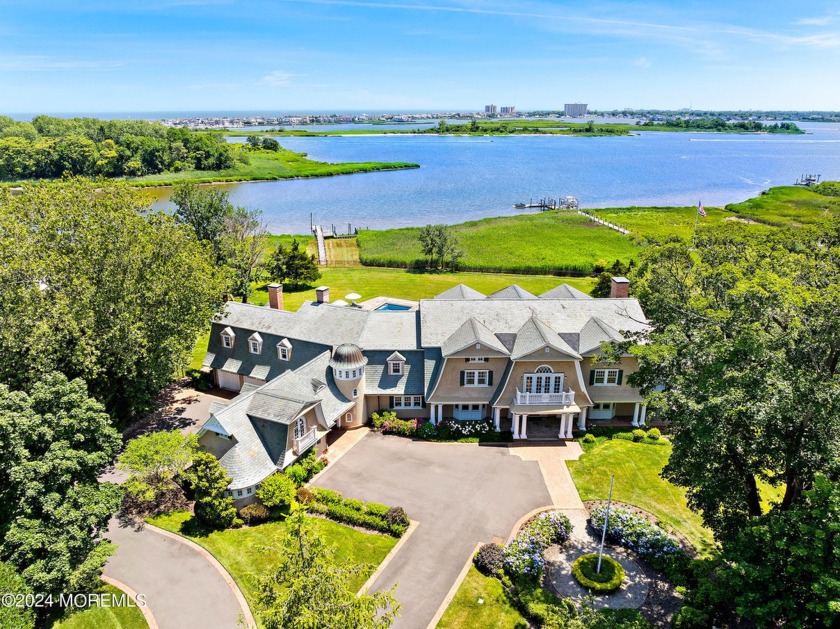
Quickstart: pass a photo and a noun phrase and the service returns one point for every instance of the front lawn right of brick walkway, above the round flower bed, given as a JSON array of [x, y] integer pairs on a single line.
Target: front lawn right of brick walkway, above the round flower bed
[[636, 467]]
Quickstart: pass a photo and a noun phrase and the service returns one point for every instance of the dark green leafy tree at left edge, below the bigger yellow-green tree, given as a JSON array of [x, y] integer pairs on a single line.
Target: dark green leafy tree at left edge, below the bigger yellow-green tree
[[55, 441]]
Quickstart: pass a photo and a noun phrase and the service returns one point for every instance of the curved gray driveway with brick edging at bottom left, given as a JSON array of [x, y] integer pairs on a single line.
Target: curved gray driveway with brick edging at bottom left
[[182, 588]]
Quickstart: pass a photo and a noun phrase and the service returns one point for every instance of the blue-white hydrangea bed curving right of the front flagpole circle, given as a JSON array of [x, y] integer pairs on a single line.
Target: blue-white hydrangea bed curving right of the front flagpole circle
[[647, 540]]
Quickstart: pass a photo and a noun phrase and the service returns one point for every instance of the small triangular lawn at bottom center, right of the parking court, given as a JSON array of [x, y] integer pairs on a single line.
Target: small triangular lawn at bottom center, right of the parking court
[[481, 602]]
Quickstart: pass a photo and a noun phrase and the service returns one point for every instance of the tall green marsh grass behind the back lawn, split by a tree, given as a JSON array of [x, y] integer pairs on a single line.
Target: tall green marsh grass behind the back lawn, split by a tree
[[547, 242]]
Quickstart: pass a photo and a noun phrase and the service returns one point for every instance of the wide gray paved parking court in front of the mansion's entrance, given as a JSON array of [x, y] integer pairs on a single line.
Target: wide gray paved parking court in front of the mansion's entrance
[[461, 494]]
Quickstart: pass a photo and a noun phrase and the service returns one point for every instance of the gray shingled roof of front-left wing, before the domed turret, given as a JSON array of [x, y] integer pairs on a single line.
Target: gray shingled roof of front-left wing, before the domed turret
[[258, 419]]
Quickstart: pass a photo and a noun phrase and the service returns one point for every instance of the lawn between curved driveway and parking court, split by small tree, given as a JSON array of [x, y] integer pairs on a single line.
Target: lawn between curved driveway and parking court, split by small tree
[[248, 553]]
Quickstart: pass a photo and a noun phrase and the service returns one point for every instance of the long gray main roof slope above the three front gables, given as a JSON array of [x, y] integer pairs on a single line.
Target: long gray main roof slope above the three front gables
[[441, 318]]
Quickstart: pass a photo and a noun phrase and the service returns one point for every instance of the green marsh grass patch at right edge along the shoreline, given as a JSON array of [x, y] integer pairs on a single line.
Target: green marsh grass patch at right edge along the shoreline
[[787, 205]]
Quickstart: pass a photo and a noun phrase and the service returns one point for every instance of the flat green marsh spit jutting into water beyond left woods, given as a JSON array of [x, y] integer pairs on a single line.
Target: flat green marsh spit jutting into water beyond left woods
[[269, 165]]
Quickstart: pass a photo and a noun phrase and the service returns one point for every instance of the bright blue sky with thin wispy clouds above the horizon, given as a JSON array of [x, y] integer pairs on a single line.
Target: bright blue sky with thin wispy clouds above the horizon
[[153, 55]]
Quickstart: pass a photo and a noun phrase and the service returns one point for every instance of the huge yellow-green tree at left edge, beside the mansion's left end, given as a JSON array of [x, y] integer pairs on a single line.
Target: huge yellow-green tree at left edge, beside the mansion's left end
[[94, 285]]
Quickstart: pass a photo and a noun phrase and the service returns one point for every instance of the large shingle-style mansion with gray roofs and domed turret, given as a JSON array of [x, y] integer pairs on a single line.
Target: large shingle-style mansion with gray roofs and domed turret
[[511, 356]]
